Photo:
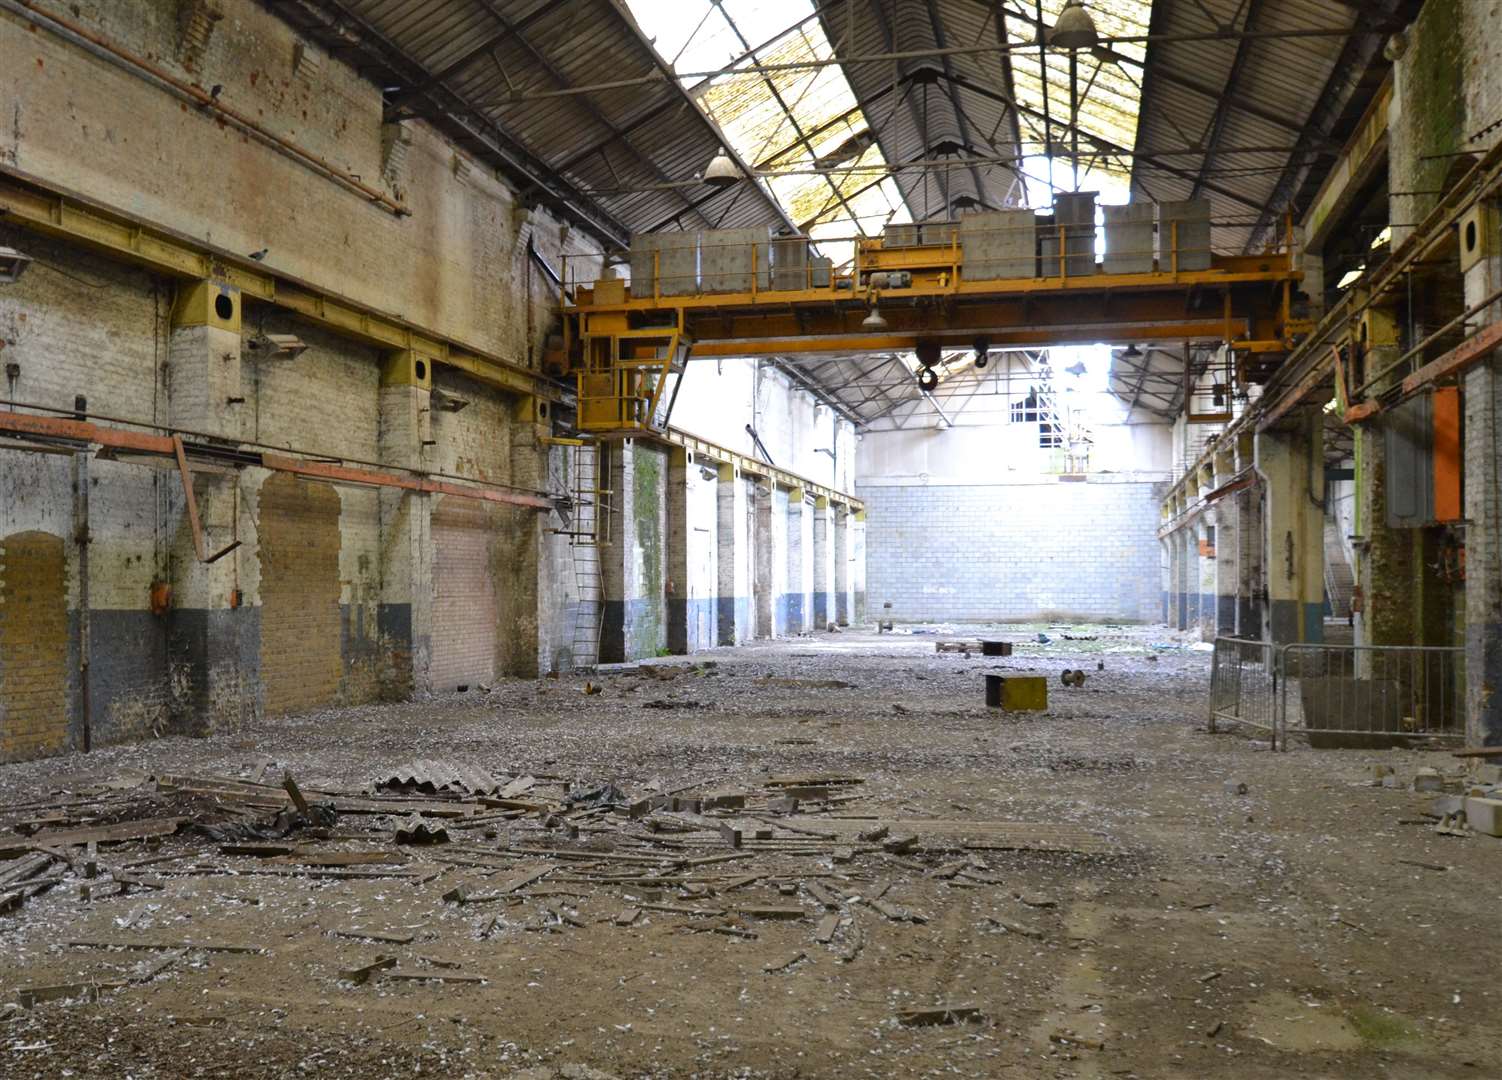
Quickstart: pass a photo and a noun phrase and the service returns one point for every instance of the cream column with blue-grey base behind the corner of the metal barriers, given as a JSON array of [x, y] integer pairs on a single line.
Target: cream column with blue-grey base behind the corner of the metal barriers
[[1291, 460]]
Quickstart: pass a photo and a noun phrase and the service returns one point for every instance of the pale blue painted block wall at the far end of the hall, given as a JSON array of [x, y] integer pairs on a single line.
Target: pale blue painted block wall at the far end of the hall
[[1015, 552]]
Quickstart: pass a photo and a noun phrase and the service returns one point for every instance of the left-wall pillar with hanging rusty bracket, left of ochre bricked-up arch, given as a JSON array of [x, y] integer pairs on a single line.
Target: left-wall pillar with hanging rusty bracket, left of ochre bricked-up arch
[[214, 627]]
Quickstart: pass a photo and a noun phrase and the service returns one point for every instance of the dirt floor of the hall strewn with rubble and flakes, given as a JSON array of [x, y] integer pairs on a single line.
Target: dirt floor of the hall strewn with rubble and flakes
[[1315, 926]]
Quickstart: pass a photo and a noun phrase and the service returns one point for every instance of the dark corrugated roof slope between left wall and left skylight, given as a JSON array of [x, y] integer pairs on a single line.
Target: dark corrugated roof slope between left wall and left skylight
[[633, 152]]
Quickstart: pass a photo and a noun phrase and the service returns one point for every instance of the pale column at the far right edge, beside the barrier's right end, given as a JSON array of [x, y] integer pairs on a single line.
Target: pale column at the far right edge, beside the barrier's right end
[[1483, 513]]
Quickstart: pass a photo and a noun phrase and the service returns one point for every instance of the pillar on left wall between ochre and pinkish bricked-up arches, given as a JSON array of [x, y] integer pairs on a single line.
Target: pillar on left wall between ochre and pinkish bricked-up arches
[[405, 615]]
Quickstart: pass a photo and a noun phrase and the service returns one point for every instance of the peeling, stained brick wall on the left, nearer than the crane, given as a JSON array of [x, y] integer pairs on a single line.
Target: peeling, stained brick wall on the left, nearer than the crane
[[330, 596]]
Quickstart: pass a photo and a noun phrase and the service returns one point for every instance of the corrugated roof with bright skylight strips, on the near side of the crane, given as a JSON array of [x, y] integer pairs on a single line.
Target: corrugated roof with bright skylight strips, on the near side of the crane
[[1234, 118]]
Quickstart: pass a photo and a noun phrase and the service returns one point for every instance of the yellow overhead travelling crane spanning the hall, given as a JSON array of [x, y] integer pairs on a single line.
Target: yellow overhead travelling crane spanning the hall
[[623, 346]]
